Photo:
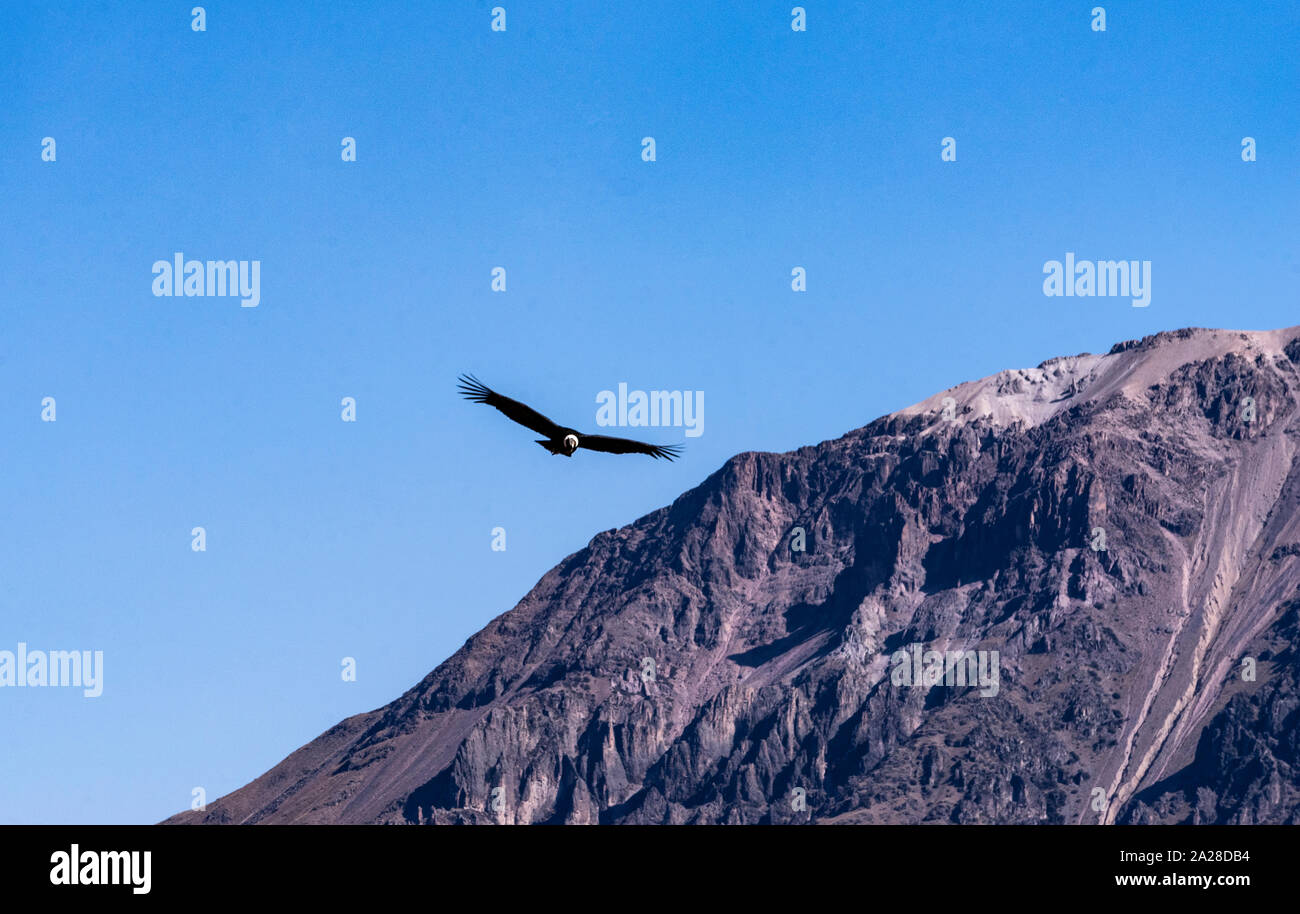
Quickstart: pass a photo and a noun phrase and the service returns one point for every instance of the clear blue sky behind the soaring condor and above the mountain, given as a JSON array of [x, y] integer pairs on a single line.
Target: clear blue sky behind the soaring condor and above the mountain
[[523, 150]]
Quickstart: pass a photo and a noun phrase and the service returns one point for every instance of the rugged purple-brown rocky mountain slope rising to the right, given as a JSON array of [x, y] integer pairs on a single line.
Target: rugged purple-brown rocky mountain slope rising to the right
[[1121, 530]]
